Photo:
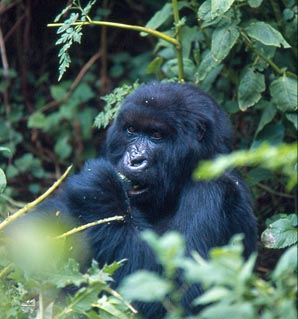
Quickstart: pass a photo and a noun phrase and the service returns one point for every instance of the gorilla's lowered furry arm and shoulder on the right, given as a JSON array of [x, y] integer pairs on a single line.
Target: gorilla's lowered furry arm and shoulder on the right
[[211, 212]]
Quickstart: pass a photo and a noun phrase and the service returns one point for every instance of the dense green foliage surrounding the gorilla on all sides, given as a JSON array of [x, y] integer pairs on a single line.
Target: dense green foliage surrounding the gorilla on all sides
[[242, 52]]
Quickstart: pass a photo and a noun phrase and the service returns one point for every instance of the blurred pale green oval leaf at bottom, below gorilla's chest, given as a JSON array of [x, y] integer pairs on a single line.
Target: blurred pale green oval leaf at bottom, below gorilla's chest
[[144, 286]]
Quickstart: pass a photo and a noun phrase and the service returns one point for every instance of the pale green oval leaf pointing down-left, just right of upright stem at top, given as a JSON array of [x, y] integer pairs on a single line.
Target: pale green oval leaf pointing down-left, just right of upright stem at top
[[223, 40]]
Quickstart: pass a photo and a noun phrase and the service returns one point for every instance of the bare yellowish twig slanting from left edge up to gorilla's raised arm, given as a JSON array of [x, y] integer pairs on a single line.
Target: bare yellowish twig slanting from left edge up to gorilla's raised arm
[[27, 207]]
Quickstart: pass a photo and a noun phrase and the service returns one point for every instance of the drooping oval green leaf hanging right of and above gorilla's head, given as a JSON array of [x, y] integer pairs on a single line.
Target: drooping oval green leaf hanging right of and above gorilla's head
[[251, 85]]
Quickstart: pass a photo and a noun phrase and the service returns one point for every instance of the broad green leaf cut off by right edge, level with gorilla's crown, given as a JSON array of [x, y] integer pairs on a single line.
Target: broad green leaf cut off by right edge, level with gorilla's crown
[[284, 93]]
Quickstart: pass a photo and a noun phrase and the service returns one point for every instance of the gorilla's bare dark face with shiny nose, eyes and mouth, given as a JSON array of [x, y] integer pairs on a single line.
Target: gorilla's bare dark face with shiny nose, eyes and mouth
[[145, 141]]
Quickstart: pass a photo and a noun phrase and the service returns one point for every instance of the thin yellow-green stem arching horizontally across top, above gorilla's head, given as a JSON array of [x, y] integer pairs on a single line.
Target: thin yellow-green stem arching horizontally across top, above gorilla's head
[[123, 26]]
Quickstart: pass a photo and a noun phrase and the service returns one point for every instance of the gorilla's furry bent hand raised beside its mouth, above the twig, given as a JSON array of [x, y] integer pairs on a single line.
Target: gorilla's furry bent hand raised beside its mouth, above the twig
[[99, 189]]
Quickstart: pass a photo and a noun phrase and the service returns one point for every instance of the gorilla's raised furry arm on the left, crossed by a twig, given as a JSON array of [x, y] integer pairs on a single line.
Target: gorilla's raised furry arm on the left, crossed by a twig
[[98, 192]]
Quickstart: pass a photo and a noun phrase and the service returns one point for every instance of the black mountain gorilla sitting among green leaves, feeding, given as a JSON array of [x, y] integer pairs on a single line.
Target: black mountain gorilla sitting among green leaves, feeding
[[161, 133]]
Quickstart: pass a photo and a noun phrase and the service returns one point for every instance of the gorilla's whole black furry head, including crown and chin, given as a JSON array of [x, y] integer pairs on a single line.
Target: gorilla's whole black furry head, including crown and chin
[[160, 134]]
